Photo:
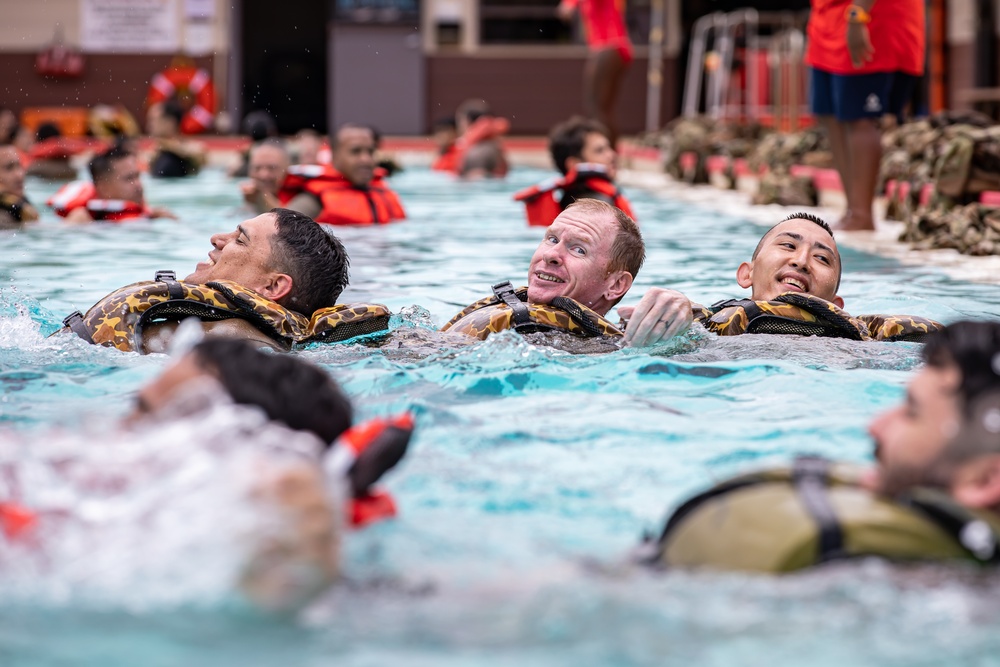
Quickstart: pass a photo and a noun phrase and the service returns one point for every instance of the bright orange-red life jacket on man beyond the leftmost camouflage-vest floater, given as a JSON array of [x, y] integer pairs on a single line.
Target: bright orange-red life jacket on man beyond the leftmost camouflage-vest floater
[[343, 202]]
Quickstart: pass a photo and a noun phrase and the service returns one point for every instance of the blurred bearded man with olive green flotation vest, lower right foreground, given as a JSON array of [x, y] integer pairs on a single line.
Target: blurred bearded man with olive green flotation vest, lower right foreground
[[934, 493]]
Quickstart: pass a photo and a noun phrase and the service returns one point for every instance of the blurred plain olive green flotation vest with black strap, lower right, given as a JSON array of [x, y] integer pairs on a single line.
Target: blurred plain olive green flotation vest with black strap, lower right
[[788, 519]]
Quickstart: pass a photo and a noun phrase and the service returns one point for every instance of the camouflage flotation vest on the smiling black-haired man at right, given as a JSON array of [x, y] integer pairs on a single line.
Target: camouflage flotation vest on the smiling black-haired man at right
[[808, 315]]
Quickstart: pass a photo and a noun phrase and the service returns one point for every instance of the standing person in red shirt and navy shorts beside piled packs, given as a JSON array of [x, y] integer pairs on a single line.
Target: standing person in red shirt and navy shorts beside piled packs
[[865, 56]]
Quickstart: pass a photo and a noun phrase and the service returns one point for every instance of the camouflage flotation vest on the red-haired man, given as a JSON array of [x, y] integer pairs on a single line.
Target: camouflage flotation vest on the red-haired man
[[508, 309]]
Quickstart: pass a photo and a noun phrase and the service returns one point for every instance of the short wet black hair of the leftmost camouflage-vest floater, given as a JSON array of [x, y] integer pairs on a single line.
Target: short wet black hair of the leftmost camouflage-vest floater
[[316, 261]]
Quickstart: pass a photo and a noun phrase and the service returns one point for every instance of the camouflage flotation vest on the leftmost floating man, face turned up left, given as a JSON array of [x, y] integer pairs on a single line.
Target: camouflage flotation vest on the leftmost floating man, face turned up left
[[119, 319]]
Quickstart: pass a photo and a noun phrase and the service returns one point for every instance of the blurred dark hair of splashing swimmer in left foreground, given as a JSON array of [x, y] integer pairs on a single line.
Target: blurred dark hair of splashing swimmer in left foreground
[[286, 388]]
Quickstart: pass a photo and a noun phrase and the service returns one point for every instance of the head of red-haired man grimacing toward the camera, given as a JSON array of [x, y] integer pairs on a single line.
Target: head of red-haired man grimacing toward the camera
[[591, 253]]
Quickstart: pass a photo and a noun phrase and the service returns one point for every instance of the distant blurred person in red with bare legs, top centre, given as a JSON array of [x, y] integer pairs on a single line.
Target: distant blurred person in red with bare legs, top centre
[[610, 55]]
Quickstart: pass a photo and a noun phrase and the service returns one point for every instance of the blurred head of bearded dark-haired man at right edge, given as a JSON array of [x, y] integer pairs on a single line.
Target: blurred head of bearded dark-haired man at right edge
[[946, 434]]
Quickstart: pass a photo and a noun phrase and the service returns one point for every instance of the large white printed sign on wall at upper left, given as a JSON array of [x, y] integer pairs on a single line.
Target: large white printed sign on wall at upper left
[[129, 26]]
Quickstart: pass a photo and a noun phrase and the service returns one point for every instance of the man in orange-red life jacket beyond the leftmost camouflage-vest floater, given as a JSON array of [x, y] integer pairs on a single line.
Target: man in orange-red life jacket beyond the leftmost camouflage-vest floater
[[352, 191]]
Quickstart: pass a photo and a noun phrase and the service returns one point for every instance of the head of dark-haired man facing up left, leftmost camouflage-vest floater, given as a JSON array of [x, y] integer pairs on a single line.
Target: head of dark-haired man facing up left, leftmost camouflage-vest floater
[[282, 255]]
